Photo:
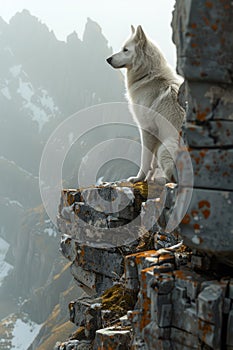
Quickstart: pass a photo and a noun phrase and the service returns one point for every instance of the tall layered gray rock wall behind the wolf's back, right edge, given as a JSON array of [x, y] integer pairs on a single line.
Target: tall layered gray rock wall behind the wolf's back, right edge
[[202, 32]]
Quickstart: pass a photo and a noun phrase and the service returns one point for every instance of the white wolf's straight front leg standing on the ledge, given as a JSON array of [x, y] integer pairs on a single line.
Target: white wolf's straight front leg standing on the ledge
[[148, 143]]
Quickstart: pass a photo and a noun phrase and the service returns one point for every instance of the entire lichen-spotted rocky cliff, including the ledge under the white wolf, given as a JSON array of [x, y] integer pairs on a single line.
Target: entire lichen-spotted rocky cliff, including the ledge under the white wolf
[[147, 288]]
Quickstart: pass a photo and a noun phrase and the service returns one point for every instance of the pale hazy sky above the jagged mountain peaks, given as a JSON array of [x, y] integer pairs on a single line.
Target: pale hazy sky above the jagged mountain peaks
[[115, 18]]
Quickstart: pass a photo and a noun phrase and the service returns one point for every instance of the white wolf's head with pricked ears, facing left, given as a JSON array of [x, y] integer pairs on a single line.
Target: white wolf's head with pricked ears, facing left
[[131, 51]]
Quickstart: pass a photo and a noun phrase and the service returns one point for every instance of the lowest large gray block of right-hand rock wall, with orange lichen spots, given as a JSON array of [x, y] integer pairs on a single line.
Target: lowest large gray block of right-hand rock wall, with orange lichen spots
[[202, 227]]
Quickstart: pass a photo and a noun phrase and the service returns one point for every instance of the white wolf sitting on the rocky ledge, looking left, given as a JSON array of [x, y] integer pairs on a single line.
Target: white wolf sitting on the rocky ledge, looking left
[[152, 88]]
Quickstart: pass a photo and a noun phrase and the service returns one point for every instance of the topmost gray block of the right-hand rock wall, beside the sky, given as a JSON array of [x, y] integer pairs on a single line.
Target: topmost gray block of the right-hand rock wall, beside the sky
[[203, 52]]
